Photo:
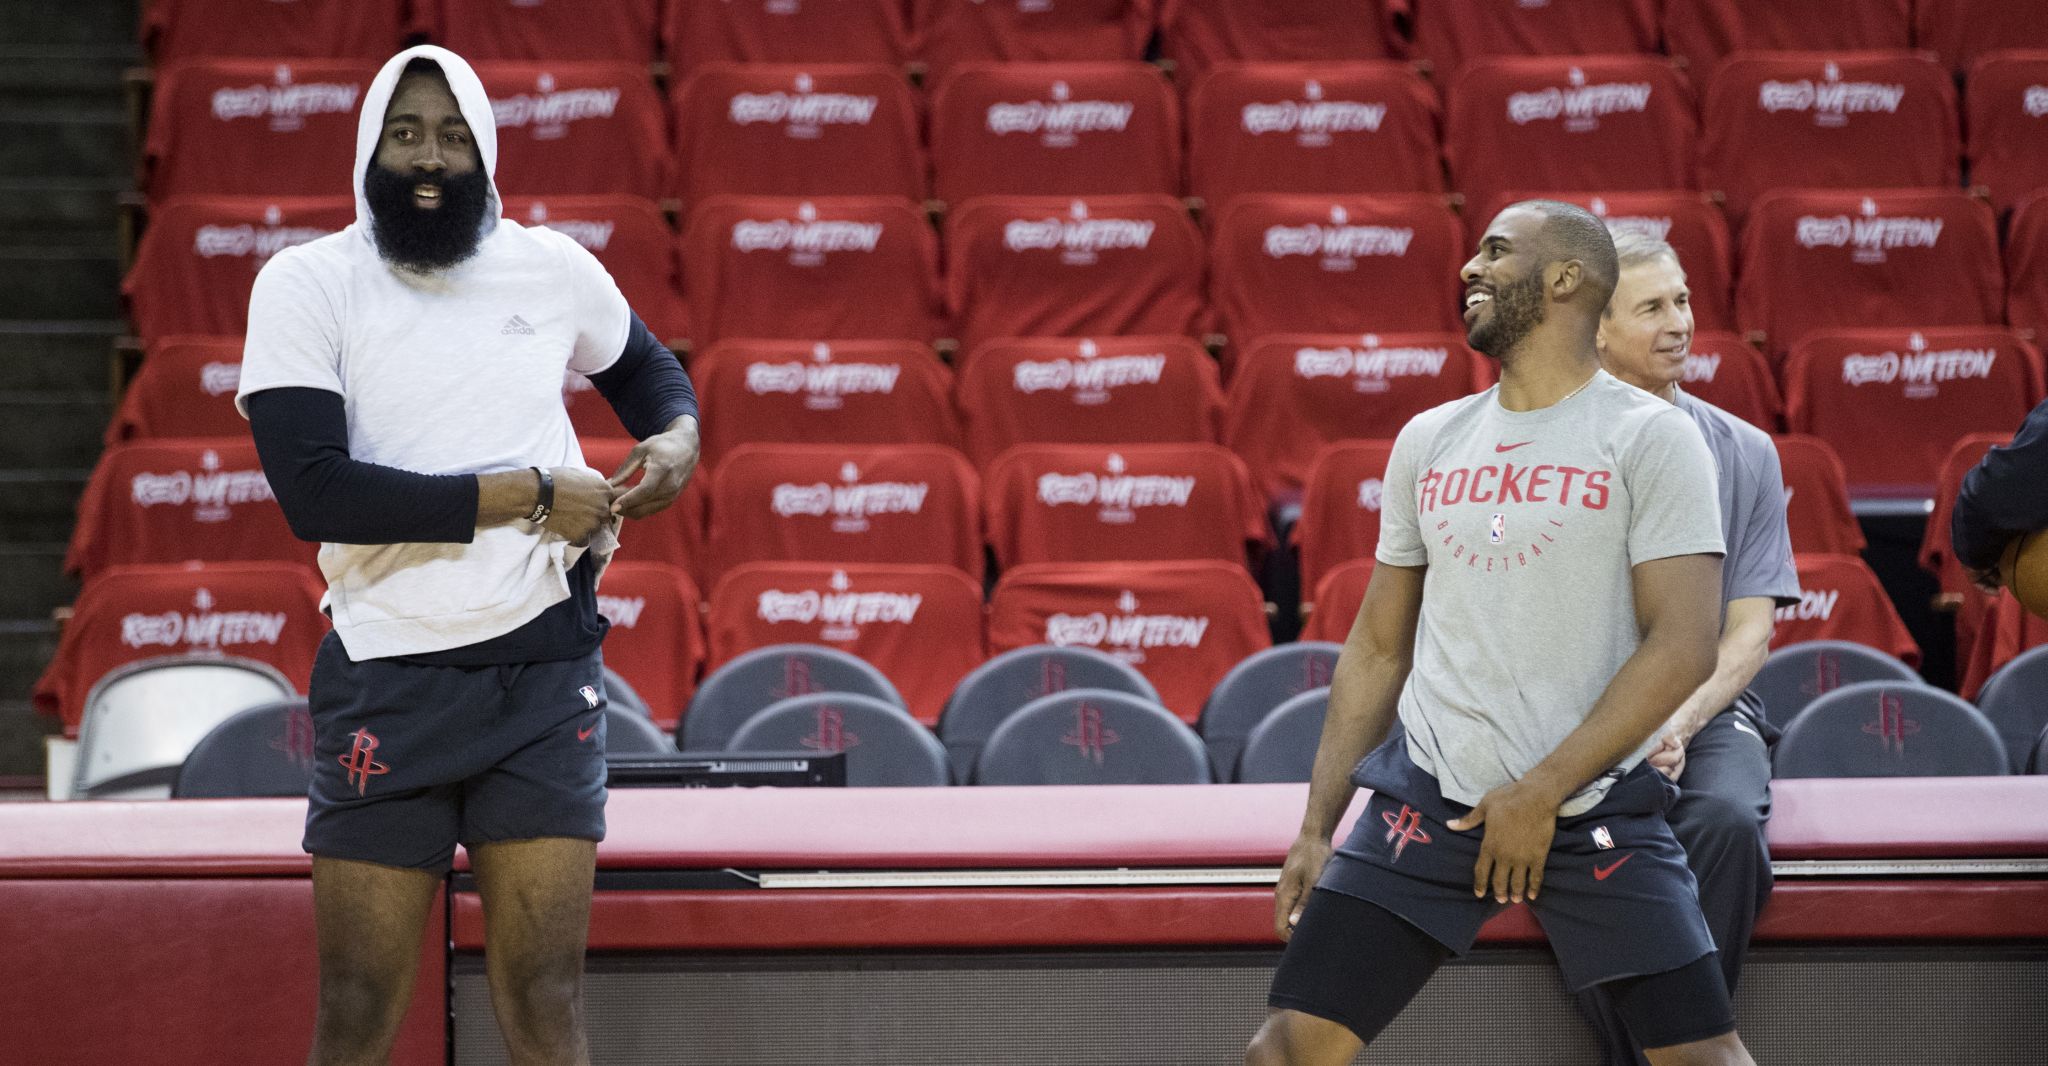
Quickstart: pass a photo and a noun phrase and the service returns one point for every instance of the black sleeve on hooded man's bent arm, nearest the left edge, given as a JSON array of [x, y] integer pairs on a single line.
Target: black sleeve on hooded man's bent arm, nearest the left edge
[[302, 437]]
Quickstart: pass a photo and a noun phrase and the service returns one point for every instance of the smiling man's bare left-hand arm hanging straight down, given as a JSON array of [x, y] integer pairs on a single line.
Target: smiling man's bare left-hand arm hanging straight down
[[1365, 693]]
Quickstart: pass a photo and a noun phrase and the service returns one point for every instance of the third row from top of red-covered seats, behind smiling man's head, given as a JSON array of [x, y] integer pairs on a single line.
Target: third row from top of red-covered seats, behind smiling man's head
[[1017, 267]]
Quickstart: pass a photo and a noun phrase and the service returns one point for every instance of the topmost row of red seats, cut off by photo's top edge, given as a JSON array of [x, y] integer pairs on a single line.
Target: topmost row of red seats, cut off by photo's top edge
[[1193, 34]]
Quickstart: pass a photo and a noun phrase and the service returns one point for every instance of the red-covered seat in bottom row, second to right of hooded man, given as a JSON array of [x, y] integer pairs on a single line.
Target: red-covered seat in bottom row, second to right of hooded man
[[919, 625]]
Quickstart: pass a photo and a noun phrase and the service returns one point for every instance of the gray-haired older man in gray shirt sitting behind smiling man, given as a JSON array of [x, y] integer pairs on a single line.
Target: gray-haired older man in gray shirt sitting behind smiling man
[[1717, 744]]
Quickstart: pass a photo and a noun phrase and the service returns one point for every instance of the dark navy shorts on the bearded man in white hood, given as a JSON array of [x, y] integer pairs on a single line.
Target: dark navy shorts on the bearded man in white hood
[[413, 760]]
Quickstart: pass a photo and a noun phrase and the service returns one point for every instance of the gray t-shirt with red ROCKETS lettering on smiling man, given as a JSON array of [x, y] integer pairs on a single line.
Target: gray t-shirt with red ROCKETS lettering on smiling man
[[1529, 525]]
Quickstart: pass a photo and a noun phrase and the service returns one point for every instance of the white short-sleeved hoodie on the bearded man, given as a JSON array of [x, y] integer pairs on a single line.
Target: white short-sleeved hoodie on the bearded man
[[450, 373]]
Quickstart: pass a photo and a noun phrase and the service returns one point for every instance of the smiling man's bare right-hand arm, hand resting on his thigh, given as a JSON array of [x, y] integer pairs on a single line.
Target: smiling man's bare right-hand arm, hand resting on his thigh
[[1676, 613]]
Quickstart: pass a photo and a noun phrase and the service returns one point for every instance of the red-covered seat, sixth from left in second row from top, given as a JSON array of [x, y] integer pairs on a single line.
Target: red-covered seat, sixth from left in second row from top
[[1570, 124]]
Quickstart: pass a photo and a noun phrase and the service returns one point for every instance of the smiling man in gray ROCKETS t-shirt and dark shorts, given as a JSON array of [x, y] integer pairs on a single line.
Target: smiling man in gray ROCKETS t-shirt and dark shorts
[[1545, 601]]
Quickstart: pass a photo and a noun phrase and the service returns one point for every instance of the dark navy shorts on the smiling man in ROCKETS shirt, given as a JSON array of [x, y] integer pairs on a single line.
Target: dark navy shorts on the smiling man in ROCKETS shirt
[[1617, 895]]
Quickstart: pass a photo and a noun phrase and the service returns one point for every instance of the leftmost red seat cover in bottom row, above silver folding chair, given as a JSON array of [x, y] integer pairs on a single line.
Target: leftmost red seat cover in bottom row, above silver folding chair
[[251, 611]]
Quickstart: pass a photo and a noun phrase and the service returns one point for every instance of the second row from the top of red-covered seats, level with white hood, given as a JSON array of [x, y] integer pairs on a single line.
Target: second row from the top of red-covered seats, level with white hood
[[1570, 124]]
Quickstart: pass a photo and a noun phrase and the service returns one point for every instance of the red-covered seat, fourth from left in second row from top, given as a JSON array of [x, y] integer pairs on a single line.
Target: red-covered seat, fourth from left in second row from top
[[1054, 130]]
